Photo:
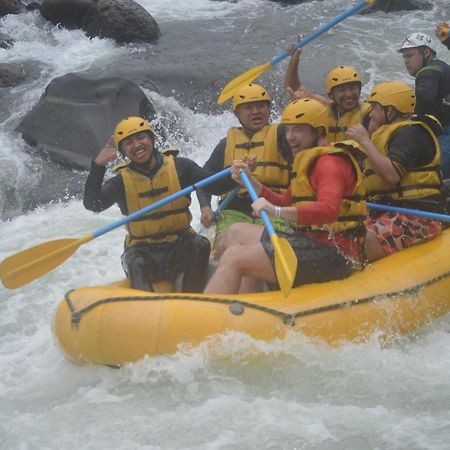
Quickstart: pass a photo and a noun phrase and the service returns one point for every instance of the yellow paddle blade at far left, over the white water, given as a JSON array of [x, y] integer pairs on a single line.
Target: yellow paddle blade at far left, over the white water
[[27, 265]]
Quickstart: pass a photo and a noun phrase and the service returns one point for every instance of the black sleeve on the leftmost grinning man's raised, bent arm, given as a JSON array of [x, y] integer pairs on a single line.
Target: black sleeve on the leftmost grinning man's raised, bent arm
[[99, 196]]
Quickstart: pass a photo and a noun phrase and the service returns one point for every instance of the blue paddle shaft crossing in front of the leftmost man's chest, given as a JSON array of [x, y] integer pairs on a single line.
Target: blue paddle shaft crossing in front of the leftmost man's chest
[[162, 202]]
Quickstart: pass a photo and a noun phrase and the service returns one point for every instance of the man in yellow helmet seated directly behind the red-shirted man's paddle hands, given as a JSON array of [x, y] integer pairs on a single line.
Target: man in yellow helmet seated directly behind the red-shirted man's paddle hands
[[255, 136]]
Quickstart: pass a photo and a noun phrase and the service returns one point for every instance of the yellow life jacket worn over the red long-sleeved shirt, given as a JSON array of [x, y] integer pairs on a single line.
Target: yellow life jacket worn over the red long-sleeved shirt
[[353, 210]]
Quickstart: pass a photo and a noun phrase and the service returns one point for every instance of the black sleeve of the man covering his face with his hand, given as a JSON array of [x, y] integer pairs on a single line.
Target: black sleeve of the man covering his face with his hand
[[411, 147]]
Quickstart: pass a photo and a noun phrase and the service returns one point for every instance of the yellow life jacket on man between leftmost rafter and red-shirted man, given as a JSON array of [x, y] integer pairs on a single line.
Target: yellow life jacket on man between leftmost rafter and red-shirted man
[[271, 168]]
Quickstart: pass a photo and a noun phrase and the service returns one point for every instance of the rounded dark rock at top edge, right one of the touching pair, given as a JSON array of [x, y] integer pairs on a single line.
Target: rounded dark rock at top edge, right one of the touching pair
[[122, 20]]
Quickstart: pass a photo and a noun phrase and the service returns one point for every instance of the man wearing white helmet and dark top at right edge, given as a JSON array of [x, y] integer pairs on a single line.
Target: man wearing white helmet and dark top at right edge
[[432, 86]]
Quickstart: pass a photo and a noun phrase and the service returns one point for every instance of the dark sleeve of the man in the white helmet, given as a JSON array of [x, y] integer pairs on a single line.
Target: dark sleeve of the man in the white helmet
[[427, 89]]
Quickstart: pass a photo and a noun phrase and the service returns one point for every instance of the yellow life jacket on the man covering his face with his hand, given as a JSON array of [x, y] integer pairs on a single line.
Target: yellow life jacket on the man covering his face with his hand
[[420, 182]]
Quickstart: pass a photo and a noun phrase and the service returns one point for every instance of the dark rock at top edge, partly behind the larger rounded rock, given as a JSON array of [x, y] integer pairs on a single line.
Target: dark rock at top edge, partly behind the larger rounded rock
[[68, 13]]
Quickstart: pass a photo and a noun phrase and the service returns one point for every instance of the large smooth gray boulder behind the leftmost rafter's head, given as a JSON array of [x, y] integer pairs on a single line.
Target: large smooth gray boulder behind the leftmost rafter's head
[[77, 113]]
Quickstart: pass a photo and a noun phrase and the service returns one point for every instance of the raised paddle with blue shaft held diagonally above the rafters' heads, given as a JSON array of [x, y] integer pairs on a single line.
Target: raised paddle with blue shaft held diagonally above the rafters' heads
[[247, 77]]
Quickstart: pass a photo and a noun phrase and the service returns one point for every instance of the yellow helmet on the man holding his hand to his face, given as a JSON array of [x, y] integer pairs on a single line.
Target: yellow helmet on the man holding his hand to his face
[[394, 93]]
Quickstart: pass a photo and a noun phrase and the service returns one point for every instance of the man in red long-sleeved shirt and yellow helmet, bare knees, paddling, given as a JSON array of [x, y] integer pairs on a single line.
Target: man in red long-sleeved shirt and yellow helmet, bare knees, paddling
[[325, 204]]
